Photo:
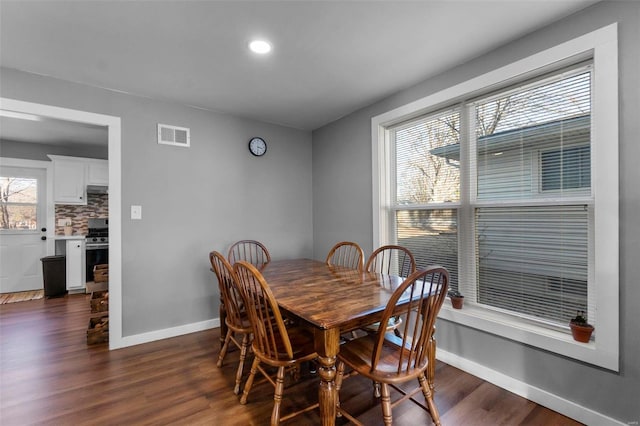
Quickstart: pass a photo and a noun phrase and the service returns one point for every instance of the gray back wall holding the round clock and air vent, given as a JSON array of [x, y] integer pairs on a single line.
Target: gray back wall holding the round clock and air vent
[[193, 200]]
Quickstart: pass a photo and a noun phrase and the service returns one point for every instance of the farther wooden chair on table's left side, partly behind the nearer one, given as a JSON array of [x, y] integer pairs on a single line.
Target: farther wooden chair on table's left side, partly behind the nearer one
[[236, 319]]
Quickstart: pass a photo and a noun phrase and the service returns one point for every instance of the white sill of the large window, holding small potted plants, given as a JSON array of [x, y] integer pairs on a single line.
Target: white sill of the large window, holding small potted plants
[[502, 325]]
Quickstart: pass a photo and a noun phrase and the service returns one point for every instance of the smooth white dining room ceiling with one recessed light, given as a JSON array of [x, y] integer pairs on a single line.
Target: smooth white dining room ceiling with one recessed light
[[330, 58]]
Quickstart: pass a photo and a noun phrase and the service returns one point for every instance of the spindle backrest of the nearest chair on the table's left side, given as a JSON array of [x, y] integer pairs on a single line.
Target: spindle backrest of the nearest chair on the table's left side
[[270, 336]]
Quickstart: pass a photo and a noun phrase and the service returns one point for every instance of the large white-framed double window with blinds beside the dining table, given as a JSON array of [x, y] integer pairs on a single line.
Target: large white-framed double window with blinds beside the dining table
[[511, 189]]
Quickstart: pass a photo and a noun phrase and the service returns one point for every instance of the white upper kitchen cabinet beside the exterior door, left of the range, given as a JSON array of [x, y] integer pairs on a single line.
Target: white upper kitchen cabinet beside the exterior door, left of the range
[[69, 180]]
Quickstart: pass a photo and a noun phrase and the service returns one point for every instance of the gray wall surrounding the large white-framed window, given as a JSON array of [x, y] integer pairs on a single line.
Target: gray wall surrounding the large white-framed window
[[342, 210]]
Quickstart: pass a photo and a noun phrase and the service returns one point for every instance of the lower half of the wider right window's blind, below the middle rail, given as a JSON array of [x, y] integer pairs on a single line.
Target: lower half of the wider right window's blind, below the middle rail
[[533, 260]]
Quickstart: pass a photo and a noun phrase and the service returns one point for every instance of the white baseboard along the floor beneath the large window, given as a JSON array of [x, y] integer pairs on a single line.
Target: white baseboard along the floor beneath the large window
[[525, 390]]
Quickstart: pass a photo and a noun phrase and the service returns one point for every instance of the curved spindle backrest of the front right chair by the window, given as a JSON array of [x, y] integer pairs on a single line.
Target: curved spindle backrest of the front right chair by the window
[[427, 290]]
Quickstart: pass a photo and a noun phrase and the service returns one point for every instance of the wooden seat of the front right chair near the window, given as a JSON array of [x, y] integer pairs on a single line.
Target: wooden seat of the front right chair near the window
[[357, 354]]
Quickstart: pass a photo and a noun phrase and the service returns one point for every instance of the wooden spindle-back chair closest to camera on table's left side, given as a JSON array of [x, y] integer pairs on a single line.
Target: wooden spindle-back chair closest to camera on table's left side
[[273, 343]]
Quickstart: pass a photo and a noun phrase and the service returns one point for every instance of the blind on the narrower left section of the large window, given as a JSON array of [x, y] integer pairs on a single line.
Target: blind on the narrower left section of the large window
[[428, 189]]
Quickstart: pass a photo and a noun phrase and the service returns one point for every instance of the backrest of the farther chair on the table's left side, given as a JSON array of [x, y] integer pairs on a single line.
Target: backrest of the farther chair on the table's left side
[[229, 288]]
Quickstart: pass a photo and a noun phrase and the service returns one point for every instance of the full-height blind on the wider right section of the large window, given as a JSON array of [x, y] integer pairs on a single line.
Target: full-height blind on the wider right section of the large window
[[533, 148]]
